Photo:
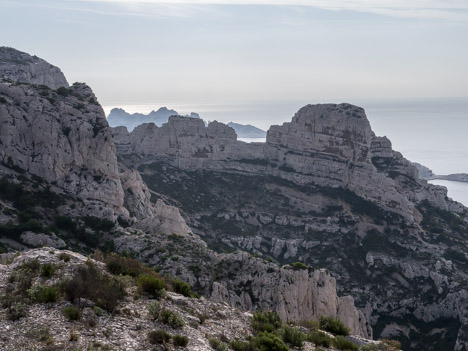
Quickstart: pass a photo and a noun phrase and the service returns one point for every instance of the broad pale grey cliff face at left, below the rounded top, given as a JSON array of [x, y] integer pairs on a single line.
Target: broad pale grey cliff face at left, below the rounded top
[[61, 140]]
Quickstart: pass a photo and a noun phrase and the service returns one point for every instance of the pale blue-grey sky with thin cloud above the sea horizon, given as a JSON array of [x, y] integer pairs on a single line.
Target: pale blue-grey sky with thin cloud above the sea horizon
[[144, 51]]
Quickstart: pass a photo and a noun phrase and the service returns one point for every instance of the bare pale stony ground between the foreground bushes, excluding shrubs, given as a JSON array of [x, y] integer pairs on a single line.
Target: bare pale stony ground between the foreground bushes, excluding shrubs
[[35, 321]]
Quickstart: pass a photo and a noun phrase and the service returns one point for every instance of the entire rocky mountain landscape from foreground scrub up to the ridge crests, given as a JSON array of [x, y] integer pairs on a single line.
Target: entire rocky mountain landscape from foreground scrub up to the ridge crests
[[324, 229]]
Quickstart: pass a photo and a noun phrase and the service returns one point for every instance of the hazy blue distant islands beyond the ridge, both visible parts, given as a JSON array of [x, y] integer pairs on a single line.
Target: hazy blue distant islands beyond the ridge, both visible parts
[[119, 117]]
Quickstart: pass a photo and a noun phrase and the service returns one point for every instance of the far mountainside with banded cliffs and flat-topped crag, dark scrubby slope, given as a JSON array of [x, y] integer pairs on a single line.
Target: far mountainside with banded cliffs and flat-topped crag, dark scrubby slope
[[325, 191]]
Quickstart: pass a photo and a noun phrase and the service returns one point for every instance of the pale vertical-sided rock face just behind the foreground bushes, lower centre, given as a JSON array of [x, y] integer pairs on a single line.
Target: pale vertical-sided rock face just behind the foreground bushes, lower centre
[[294, 294]]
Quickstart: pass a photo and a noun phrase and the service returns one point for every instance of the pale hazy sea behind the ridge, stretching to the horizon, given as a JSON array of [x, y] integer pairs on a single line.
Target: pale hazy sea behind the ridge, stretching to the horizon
[[433, 132]]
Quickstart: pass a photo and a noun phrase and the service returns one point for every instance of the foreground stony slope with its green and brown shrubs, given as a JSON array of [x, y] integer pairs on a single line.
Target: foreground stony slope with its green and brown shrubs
[[48, 305]]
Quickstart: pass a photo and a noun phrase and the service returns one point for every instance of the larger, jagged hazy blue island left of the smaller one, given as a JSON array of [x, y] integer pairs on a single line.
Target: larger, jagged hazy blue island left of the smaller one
[[119, 117]]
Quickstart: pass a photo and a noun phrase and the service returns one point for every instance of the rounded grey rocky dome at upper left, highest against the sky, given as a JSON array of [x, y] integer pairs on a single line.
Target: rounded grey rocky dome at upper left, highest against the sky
[[19, 66]]
